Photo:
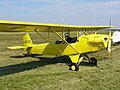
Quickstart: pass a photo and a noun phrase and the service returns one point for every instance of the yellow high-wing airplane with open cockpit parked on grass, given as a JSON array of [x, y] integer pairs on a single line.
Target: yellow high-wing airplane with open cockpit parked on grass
[[76, 48]]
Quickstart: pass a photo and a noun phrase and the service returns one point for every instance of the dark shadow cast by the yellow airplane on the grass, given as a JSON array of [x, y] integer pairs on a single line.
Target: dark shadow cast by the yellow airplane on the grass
[[16, 68]]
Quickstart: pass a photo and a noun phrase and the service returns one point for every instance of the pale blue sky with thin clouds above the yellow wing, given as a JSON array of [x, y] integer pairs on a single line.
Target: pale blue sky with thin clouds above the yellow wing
[[75, 12]]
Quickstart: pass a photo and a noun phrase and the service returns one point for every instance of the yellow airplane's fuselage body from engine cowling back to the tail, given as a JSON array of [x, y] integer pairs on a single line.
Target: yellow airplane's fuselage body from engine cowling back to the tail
[[84, 44]]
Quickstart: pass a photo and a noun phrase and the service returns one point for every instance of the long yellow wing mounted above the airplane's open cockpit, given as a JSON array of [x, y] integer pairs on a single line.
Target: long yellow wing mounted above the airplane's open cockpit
[[15, 26]]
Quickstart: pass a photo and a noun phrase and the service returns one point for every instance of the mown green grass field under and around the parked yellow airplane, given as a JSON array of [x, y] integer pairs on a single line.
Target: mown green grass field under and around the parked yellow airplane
[[51, 73]]
